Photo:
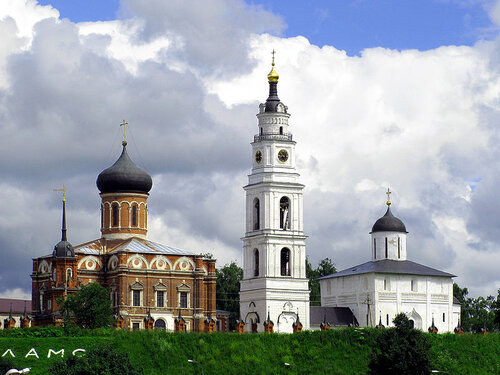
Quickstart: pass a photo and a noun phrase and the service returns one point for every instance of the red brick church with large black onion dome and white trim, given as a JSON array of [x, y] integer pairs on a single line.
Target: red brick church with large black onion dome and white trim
[[150, 285]]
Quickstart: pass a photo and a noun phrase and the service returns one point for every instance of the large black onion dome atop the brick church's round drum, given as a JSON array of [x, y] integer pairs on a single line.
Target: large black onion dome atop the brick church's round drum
[[124, 176]]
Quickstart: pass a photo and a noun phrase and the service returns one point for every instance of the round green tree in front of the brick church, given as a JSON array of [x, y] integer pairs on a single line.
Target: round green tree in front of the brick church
[[90, 307]]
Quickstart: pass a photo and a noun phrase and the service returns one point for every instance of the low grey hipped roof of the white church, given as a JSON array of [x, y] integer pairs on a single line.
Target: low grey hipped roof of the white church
[[390, 266]]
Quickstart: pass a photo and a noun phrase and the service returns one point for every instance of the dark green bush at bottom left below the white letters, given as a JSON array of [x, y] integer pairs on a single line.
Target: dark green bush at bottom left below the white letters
[[99, 360]]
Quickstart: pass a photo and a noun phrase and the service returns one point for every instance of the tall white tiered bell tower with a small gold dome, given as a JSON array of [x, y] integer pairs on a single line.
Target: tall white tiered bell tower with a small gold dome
[[274, 281]]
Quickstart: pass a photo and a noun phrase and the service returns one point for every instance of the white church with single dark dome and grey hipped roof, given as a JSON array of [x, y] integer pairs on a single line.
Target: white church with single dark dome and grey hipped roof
[[378, 290]]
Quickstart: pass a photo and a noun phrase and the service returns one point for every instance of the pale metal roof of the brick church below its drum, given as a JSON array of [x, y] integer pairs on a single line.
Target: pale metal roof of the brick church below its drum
[[134, 245]]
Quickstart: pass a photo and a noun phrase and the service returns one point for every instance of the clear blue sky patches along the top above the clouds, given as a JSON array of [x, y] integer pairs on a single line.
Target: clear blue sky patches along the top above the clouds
[[350, 25]]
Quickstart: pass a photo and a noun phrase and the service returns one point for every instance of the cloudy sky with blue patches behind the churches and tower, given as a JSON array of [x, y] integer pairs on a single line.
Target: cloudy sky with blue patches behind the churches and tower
[[382, 94]]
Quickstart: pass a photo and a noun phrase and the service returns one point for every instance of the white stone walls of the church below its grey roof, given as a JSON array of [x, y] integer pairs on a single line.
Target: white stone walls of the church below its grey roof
[[390, 294]]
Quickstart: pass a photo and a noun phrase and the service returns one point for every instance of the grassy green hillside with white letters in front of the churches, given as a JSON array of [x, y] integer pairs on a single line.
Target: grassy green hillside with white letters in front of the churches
[[340, 351]]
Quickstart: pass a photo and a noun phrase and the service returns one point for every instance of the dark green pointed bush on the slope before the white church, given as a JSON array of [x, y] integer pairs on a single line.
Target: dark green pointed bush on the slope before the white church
[[401, 350]]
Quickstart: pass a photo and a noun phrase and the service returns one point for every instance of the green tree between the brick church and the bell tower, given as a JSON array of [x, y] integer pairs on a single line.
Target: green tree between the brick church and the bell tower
[[228, 290]]
